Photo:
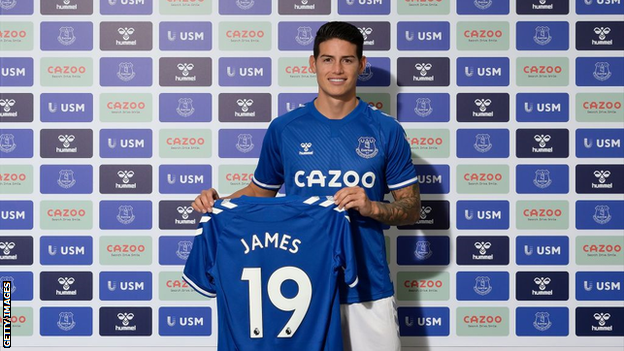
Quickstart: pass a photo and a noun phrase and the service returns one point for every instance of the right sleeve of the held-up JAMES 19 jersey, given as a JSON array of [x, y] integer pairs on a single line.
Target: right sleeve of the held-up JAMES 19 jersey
[[344, 253]]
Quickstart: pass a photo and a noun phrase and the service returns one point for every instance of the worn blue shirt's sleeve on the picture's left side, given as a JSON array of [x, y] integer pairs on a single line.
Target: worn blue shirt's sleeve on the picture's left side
[[269, 173]]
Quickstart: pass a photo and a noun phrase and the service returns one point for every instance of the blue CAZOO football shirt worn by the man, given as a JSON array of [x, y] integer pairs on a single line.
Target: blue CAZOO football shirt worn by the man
[[312, 155]]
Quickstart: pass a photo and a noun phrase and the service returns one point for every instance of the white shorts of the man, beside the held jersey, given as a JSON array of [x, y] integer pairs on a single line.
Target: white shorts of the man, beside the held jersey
[[370, 326]]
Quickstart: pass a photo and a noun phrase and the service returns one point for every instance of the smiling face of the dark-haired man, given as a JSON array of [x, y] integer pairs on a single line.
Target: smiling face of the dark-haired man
[[337, 68]]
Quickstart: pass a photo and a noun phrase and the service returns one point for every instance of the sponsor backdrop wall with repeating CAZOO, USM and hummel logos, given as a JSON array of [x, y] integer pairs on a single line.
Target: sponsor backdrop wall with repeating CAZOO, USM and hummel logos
[[116, 113]]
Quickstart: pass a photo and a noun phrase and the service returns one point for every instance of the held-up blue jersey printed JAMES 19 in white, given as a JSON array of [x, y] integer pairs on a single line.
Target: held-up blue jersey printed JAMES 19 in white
[[274, 266]]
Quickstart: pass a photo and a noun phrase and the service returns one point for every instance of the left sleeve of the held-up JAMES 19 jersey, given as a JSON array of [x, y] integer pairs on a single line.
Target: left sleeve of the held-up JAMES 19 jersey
[[202, 258]]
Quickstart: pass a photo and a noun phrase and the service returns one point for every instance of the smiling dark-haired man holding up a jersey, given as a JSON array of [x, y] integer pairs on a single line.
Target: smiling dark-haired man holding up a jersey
[[338, 145]]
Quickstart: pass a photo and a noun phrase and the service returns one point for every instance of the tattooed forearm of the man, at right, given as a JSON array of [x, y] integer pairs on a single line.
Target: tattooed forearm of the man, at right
[[404, 210]]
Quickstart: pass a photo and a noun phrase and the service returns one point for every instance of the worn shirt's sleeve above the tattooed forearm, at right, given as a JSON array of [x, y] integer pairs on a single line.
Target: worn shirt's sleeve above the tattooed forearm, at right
[[400, 171]]
